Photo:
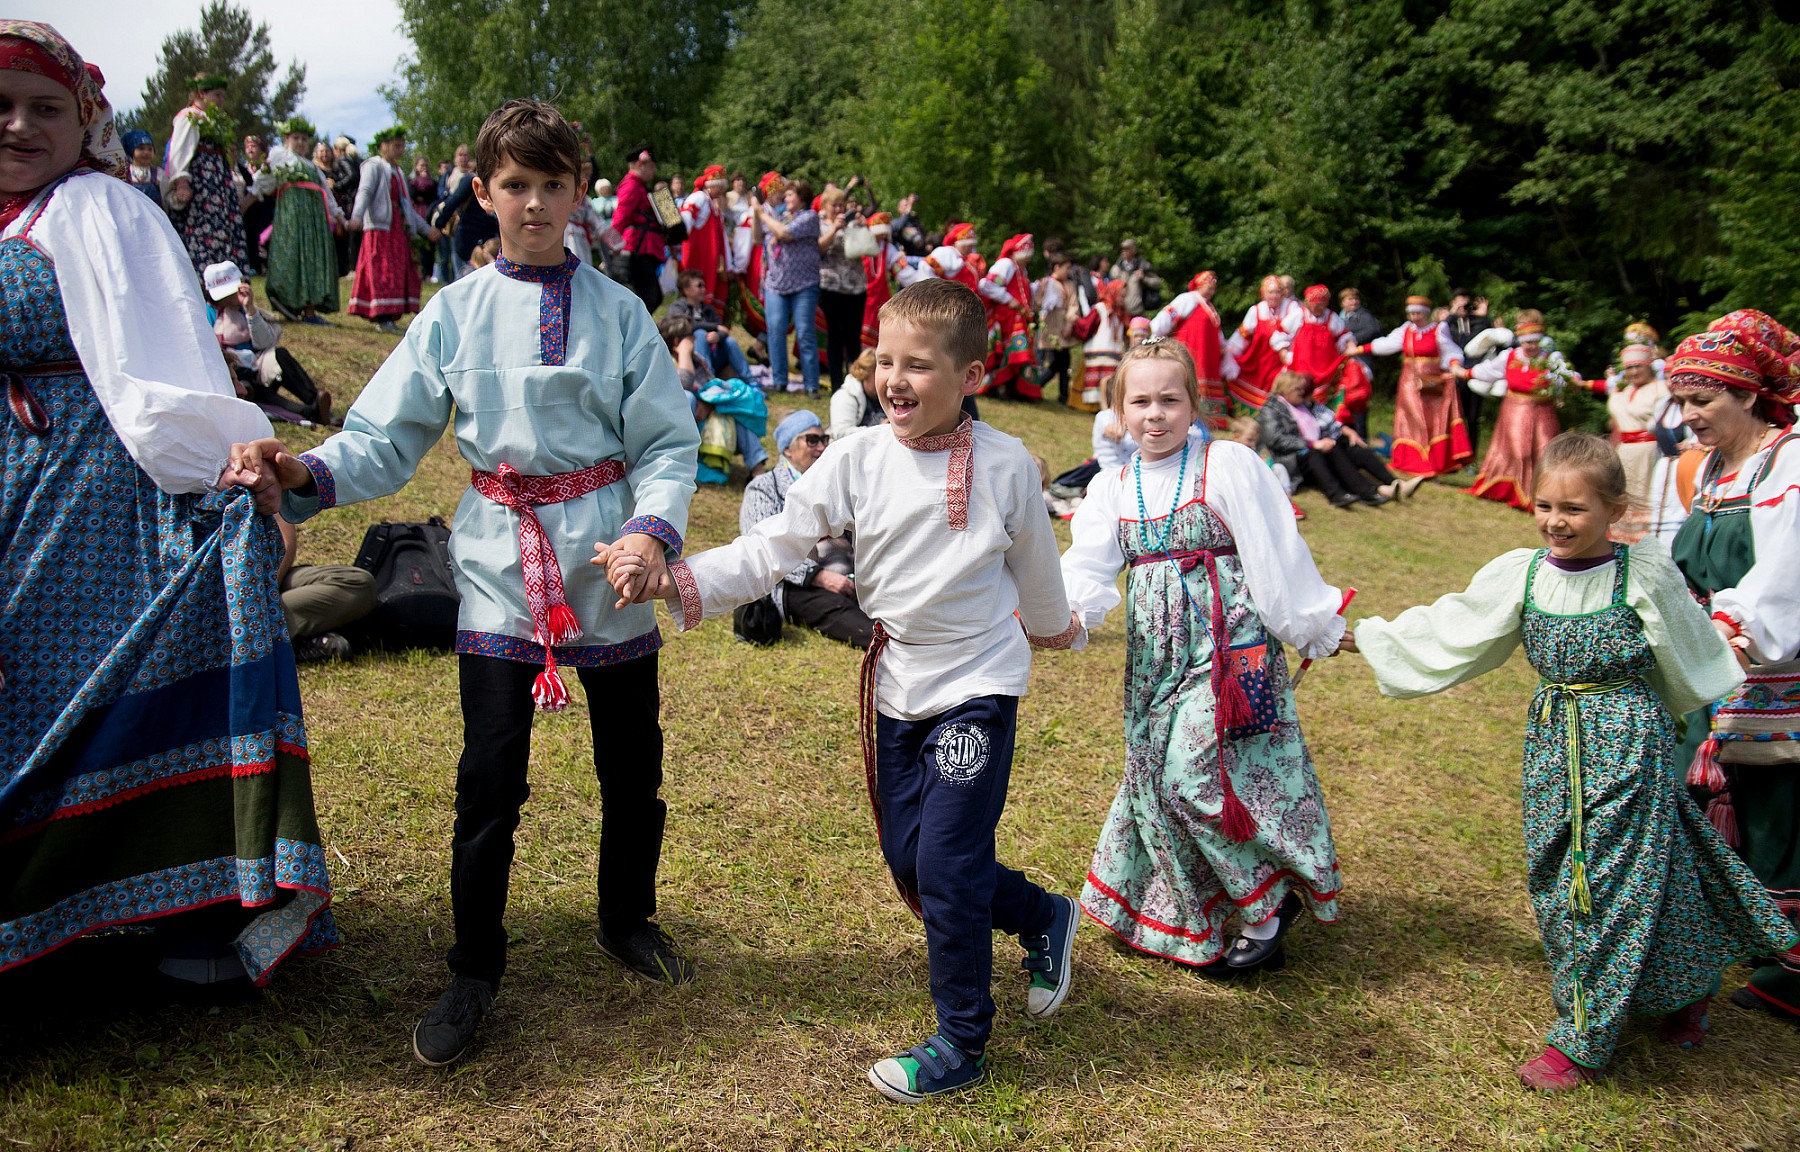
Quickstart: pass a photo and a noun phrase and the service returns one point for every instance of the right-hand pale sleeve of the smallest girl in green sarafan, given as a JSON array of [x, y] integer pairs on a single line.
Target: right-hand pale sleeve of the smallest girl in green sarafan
[[1695, 665]]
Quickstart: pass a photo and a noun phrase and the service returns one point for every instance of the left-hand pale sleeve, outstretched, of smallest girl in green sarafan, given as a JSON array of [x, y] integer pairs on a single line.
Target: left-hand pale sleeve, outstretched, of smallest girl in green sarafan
[[1455, 640]]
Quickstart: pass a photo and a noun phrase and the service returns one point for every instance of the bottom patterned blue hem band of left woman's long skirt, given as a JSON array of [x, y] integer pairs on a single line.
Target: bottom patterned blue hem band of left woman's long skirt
[[301, 926]]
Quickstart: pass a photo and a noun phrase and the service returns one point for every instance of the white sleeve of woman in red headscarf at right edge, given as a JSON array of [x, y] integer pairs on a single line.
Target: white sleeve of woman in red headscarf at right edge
[[1767, 602]]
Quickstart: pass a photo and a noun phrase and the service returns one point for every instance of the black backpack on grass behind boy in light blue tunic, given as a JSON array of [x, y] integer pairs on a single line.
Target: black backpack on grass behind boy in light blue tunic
[[415, 579]]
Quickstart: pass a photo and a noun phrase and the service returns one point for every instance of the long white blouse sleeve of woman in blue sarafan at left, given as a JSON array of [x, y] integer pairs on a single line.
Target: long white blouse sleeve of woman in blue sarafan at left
[[141, 332]]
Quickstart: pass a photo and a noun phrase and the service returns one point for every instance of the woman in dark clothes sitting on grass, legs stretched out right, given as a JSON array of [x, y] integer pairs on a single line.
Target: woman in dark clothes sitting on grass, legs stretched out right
[[1306, 438]]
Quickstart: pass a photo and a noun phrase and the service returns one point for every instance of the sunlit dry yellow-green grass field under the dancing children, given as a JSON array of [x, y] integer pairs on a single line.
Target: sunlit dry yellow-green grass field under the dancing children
[[1396, 1029]]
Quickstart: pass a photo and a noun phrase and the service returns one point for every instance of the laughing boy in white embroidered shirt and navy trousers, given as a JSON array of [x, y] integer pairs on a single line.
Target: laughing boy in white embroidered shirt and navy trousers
[[953, 555]]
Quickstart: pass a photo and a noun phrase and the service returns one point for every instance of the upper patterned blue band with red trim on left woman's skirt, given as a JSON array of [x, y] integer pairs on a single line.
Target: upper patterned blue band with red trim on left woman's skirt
[[251, 755]]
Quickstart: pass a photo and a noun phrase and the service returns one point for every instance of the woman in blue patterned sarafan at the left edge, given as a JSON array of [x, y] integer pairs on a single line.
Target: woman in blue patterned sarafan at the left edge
[[152, 751]]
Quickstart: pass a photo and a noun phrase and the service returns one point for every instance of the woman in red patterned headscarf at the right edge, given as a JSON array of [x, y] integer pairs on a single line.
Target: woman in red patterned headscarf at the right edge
[[1740, 550]]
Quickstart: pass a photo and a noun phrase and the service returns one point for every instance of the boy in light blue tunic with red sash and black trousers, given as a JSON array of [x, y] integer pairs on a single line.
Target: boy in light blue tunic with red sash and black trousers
[[568, 409]]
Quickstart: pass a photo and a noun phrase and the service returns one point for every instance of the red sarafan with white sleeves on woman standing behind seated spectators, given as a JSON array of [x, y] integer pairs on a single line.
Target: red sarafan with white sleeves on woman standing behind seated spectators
[[1428, 429]]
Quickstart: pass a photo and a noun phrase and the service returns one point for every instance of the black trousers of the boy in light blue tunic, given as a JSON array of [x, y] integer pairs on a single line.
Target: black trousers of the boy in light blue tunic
[[490, 789]]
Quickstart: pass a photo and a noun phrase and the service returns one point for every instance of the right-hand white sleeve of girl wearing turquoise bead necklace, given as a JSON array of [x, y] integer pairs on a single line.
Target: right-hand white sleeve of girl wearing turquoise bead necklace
[[1293, 600]]
